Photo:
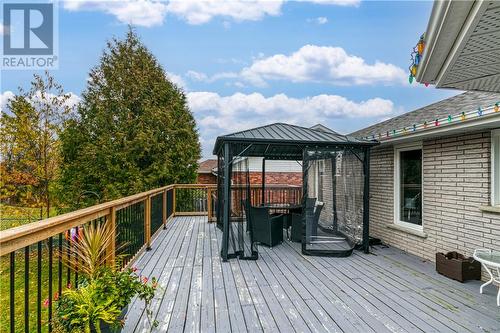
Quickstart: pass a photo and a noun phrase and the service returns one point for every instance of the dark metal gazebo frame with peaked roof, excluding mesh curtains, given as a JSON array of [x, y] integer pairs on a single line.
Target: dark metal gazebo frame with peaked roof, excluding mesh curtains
[[281, 141]]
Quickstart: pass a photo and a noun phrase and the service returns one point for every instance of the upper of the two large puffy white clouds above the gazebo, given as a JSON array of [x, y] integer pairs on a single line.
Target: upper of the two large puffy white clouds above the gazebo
[[311, 63]]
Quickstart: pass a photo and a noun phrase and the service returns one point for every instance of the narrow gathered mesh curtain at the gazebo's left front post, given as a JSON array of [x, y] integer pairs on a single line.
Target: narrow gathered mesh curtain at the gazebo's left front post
[[233, 190]]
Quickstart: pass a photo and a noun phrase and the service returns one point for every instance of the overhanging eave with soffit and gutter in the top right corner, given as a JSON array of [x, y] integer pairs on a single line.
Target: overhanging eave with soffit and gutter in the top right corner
[[462, 43]]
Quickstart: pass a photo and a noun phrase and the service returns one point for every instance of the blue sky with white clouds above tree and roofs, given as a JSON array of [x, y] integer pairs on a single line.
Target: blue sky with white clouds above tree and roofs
[[341, 63]]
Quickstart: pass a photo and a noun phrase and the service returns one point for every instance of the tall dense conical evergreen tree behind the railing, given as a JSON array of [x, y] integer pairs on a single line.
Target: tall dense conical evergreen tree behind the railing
[[133, 130]]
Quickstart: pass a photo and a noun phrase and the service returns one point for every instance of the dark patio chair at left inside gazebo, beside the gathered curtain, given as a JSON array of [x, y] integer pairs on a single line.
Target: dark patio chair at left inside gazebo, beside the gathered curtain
[[267, 229]]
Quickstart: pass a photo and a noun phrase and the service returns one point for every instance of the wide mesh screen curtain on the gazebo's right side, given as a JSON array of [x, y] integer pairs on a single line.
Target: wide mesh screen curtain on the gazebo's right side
[[333, 200]]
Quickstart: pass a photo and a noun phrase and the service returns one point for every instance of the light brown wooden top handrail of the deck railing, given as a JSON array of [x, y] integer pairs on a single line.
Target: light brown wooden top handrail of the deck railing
[[18, 237]]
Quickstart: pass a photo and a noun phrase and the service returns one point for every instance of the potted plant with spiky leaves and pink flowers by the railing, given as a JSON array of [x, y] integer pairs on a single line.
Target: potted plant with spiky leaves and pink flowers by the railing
[[100, 302]]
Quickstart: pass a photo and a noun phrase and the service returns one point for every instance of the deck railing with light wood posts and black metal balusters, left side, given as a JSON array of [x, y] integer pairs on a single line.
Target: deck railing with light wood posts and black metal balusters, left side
[[32, 273]]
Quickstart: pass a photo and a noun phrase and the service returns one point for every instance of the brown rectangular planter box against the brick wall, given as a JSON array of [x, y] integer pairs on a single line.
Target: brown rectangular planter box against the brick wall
[[457, 267]]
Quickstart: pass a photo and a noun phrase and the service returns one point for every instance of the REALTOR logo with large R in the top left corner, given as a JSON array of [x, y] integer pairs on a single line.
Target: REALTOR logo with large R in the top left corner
[[29, 38]]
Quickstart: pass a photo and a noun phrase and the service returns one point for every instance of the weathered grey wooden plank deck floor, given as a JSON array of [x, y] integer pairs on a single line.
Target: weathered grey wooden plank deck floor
[[283, 291]]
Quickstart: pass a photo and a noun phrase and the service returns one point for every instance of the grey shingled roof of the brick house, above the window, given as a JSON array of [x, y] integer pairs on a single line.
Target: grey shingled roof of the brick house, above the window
[[465, 102]]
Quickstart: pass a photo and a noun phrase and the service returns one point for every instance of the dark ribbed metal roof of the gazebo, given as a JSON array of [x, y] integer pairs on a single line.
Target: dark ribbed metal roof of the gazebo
[[285, 134]]
